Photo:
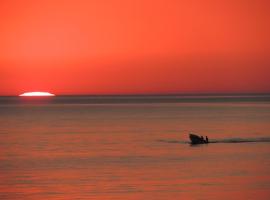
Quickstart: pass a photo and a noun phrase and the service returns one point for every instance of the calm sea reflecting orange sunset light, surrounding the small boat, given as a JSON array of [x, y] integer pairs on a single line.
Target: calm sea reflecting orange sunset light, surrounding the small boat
[[134, 147]]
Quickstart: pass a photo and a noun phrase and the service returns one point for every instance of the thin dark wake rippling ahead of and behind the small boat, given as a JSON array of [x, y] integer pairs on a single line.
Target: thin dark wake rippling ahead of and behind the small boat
[[226, 140]]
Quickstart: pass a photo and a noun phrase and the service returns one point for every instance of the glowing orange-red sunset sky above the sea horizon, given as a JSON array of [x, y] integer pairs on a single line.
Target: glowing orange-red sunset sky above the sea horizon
[[134, 46]]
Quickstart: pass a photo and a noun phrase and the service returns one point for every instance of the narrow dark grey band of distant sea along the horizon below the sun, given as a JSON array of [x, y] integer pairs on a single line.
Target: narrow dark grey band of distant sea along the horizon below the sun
[[136, 99]]
